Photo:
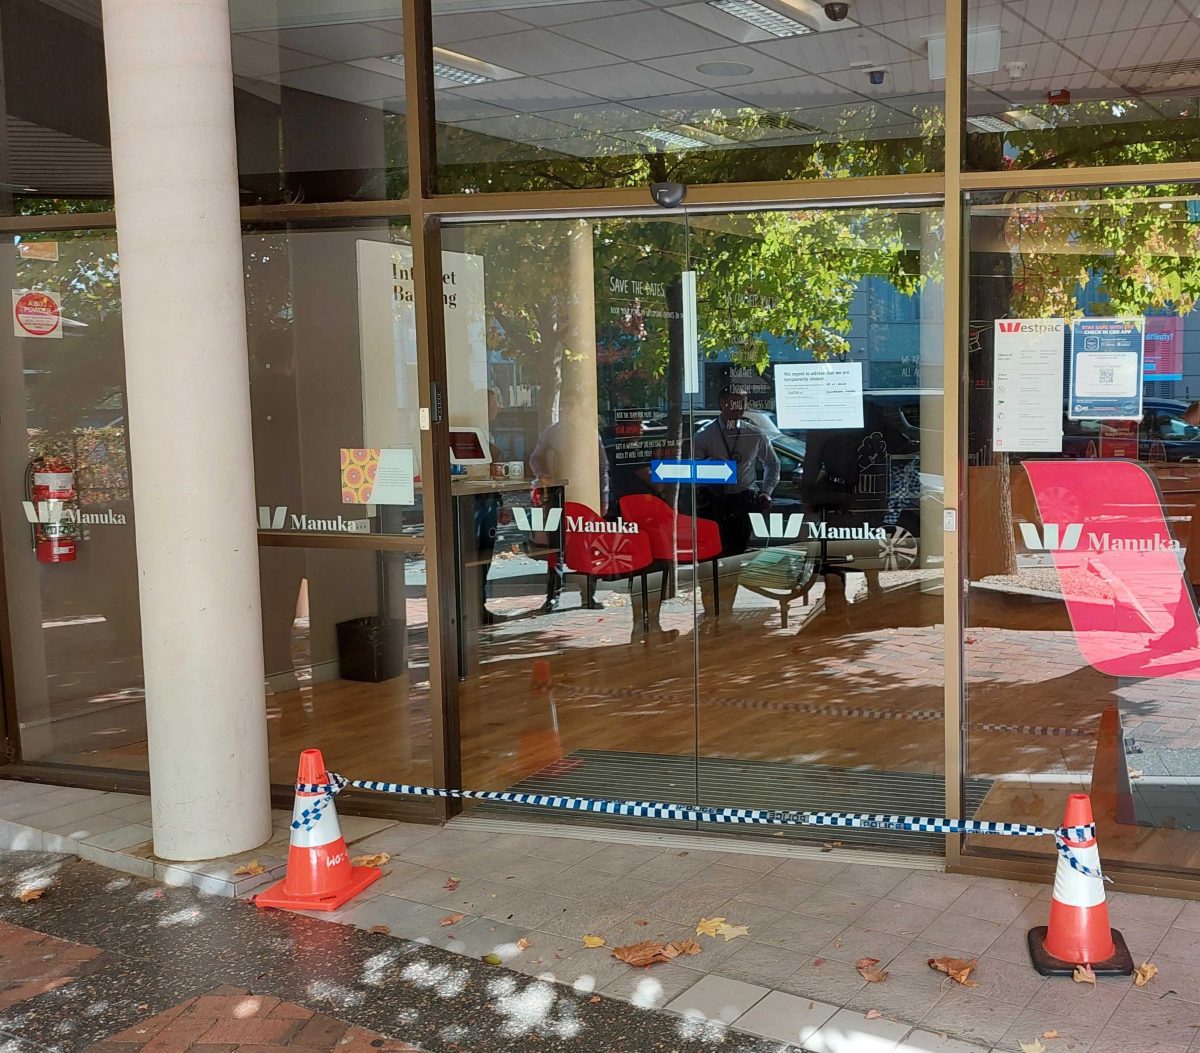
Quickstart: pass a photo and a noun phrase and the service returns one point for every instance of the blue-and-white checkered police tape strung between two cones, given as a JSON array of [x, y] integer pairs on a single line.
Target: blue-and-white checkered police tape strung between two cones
[[308, 817]]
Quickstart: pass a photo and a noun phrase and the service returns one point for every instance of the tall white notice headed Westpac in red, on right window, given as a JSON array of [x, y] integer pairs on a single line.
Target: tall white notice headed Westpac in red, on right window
[[1027, 399]]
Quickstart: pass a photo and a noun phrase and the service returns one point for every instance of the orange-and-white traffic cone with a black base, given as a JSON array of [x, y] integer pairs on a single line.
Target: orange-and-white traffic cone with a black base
[[1079, 932]]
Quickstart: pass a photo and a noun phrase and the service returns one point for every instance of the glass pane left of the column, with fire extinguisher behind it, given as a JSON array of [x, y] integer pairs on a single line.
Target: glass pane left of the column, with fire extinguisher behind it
[[70, 562]]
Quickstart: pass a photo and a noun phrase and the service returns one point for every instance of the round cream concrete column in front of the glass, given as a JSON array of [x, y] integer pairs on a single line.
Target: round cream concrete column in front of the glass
[[176, 177]]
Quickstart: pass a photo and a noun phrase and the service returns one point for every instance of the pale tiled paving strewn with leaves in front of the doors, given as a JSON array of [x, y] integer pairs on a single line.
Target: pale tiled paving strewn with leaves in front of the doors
[[793, 978]]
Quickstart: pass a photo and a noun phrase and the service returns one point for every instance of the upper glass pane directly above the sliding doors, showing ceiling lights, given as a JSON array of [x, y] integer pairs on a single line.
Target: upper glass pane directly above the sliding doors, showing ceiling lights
[[545, 97]]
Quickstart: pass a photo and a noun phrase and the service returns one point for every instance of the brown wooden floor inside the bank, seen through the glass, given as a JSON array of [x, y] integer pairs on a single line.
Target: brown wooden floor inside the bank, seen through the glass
[[862, 693]]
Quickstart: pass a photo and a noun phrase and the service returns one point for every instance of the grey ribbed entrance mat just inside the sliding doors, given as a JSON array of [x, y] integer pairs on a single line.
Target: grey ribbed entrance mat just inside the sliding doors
[[721, 783]]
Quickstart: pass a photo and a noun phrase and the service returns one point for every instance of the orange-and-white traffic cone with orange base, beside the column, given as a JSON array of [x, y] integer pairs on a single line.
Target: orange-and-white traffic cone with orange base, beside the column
[[320, 875]]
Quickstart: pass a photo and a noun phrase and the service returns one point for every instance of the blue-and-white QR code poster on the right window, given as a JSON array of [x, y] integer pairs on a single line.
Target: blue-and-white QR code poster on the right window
[[1107, 359]]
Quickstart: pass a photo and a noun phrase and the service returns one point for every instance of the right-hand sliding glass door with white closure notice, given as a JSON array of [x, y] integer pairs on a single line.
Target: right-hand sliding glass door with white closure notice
[[817, 423]]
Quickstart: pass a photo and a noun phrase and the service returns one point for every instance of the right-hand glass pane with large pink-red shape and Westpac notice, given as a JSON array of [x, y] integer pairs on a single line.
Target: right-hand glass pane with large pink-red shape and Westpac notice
[[1082, 438]]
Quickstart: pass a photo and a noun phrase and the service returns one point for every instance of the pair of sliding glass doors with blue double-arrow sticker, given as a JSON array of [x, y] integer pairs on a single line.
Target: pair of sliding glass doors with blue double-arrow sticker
[[767, 633]]
